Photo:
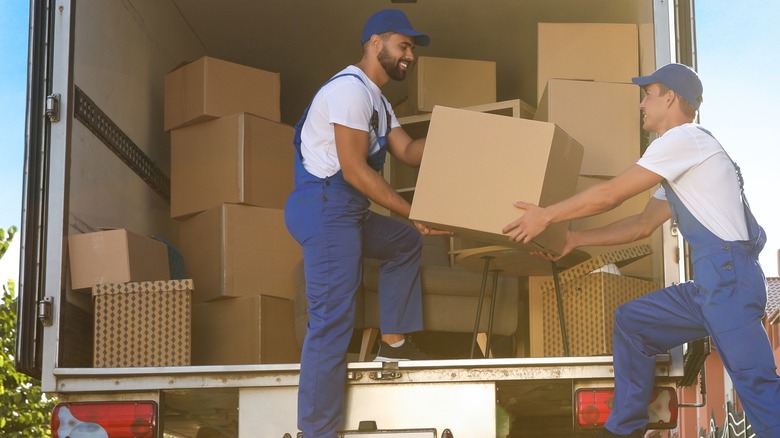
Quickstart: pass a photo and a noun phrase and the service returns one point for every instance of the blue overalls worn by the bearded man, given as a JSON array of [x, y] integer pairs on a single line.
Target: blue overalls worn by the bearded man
[[332, 222]]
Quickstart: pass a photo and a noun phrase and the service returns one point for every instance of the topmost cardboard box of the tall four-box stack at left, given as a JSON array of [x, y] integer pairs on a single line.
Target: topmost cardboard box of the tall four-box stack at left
[[209, 88]]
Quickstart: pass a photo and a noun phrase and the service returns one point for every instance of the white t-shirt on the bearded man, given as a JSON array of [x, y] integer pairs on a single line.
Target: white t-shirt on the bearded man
[[345, 101]]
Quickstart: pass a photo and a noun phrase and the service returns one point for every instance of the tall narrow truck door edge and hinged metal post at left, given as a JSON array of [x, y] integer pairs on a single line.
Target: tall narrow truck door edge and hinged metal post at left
[[44, 198]]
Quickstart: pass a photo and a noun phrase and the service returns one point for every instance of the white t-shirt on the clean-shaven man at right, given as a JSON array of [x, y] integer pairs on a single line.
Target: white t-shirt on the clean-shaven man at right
[[703, 177]]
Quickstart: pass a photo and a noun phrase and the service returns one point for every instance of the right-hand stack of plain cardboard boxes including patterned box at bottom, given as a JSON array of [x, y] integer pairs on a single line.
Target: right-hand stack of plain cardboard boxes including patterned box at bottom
[[584, 86]]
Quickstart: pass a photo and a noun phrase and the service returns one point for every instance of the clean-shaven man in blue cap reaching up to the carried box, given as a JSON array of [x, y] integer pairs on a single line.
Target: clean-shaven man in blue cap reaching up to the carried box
[[701, 191]]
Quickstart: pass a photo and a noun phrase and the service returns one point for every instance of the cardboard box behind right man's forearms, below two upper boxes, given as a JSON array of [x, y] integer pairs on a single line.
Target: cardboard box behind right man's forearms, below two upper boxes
[[643, 267]]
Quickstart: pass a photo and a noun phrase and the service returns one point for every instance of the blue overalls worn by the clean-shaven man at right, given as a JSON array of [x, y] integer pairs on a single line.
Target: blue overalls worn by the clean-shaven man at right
[[726, 300]]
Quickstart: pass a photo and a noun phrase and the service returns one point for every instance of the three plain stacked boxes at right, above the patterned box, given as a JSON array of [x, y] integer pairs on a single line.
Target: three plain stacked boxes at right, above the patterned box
[[584, 86]]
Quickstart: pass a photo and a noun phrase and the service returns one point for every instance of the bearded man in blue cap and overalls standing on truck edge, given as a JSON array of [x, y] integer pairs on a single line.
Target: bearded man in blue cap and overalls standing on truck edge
[[341, 143]]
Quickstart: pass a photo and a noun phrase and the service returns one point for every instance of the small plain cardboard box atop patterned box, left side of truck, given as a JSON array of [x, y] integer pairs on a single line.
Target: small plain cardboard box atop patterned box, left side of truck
[[141, 317]]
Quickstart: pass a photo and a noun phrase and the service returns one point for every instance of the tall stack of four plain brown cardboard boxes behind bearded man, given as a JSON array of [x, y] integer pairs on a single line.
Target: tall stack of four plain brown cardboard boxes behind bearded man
[[231, 173]]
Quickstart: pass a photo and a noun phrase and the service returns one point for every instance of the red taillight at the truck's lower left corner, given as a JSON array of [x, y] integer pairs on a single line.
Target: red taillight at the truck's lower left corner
[[103, 420]]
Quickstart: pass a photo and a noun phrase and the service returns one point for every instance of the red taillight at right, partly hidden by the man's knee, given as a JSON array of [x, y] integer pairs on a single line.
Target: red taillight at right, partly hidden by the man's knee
[[593, 406]]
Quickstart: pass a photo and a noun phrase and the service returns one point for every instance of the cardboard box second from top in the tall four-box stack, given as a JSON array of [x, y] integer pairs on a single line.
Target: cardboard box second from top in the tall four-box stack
[[239, 158]]
